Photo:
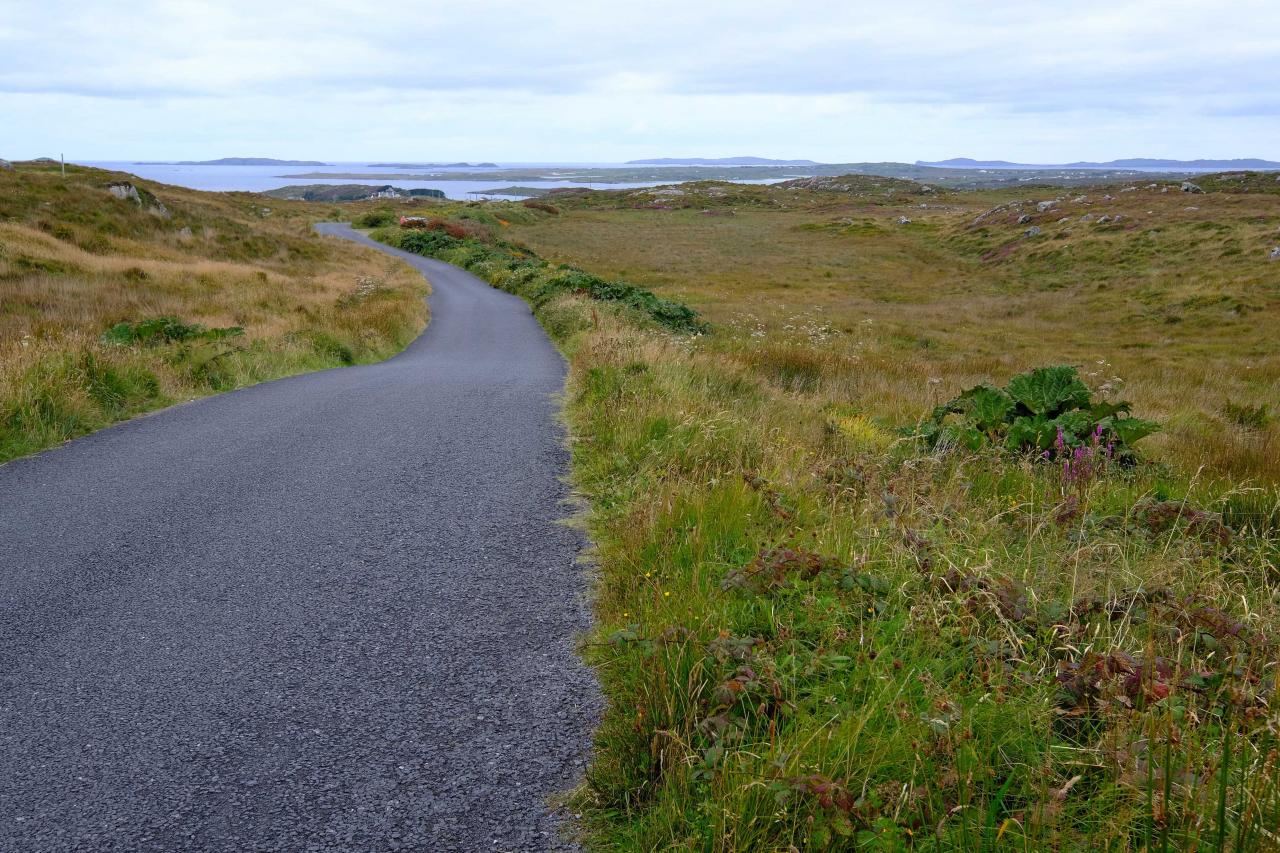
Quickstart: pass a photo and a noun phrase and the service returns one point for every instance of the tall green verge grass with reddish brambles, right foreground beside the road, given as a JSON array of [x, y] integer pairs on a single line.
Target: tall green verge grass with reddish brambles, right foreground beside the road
[[940, 700]]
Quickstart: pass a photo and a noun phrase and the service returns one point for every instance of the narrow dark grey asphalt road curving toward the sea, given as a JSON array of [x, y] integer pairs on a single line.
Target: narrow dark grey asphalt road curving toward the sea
[[331, 613]]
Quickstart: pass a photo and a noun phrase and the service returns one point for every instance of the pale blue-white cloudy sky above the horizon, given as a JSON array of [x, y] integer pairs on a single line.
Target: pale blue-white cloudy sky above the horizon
[[564, 81]]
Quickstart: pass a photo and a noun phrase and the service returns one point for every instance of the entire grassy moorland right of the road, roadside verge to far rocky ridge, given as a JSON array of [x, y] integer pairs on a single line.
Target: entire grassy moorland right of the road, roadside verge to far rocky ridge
[[819, 632]]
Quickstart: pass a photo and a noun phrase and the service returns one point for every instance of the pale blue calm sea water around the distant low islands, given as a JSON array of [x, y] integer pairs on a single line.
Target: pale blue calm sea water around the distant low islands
[[226, 179]]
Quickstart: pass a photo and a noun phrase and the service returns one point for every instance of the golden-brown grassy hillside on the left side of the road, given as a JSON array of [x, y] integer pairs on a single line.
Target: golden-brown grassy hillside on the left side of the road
[[111, 307]]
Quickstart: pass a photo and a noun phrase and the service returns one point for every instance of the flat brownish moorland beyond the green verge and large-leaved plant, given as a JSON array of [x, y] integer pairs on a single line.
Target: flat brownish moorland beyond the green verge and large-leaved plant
[[1178, 299]]
